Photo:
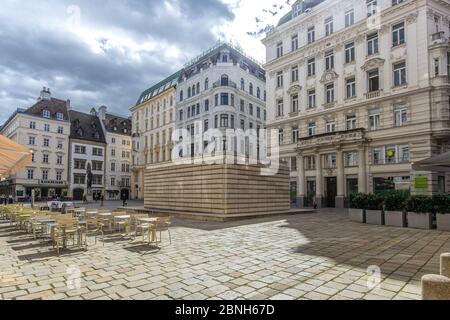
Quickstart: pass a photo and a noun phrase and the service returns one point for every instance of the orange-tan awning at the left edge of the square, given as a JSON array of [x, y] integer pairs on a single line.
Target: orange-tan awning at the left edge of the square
[[13, 157]]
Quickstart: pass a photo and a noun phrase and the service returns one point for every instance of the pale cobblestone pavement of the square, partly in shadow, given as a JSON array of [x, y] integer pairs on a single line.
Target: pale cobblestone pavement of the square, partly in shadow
[[315, 256]]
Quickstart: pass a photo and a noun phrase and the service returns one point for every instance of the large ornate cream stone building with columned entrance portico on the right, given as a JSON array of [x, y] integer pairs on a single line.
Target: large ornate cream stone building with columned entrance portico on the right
[[359, 90]]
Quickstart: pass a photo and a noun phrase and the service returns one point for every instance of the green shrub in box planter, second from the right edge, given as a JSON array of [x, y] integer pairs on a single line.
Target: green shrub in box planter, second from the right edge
[[420, 212]]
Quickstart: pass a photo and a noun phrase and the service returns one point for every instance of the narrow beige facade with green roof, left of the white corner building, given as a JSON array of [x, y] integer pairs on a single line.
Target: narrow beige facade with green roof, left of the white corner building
[[153, 122]]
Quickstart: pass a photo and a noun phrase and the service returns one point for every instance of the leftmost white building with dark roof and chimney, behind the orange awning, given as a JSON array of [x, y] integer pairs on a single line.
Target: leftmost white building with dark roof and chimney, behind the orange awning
[[44, 128]]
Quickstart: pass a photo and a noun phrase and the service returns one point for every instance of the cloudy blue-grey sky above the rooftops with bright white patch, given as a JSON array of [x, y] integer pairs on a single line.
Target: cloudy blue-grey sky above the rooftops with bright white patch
[[107, 52]]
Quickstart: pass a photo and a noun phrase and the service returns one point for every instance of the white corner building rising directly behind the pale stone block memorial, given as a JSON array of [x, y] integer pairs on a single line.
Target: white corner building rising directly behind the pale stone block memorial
[[221, 89]]
